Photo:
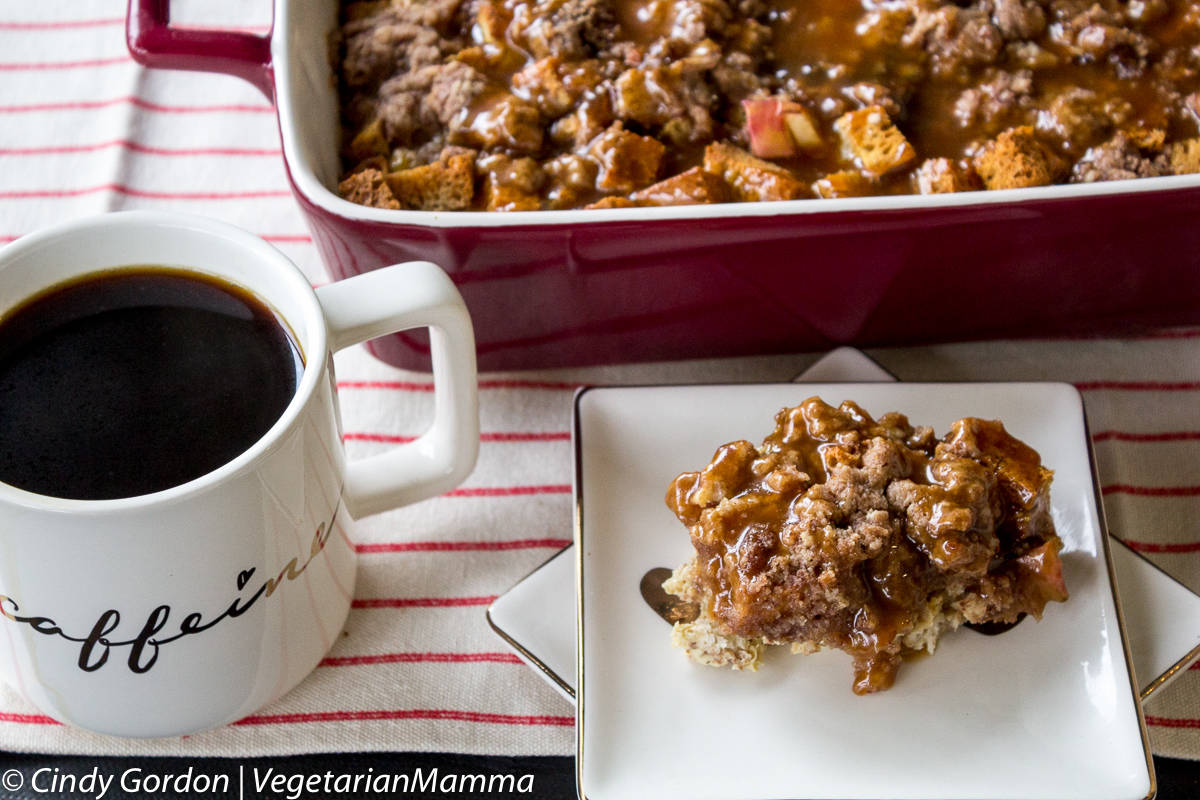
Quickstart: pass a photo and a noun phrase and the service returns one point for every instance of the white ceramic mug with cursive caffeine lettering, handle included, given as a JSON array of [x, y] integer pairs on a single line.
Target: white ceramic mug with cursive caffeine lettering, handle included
[[188, 609]]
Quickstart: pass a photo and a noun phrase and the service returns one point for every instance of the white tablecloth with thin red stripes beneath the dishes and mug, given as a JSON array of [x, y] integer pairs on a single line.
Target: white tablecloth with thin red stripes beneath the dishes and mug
[[85, 130]]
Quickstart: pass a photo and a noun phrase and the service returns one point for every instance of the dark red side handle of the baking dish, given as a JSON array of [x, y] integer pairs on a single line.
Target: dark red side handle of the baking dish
[[154, 44]]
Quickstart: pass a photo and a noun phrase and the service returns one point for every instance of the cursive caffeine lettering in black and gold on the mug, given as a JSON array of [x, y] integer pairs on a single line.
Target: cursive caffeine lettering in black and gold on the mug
[[145, 647]]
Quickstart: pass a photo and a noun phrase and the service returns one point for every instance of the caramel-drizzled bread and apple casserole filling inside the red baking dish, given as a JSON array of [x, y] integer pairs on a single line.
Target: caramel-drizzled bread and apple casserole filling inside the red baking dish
[[524, 105]]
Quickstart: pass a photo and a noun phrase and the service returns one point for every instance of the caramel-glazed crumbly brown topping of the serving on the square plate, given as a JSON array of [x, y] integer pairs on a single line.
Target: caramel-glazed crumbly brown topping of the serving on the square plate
[[787, 534]]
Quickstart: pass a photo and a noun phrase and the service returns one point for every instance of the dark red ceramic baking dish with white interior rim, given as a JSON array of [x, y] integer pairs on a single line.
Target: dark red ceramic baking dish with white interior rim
[[556, 288]]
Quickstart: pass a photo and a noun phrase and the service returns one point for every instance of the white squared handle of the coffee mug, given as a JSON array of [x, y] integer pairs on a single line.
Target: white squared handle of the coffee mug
[[416, 294]]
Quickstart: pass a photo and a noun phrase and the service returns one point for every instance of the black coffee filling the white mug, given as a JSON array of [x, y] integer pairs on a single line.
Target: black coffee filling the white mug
[[136, 381]]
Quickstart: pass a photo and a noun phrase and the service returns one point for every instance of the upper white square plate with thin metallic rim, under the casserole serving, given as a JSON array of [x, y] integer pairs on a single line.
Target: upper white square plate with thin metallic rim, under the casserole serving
[[1046, 711]]
